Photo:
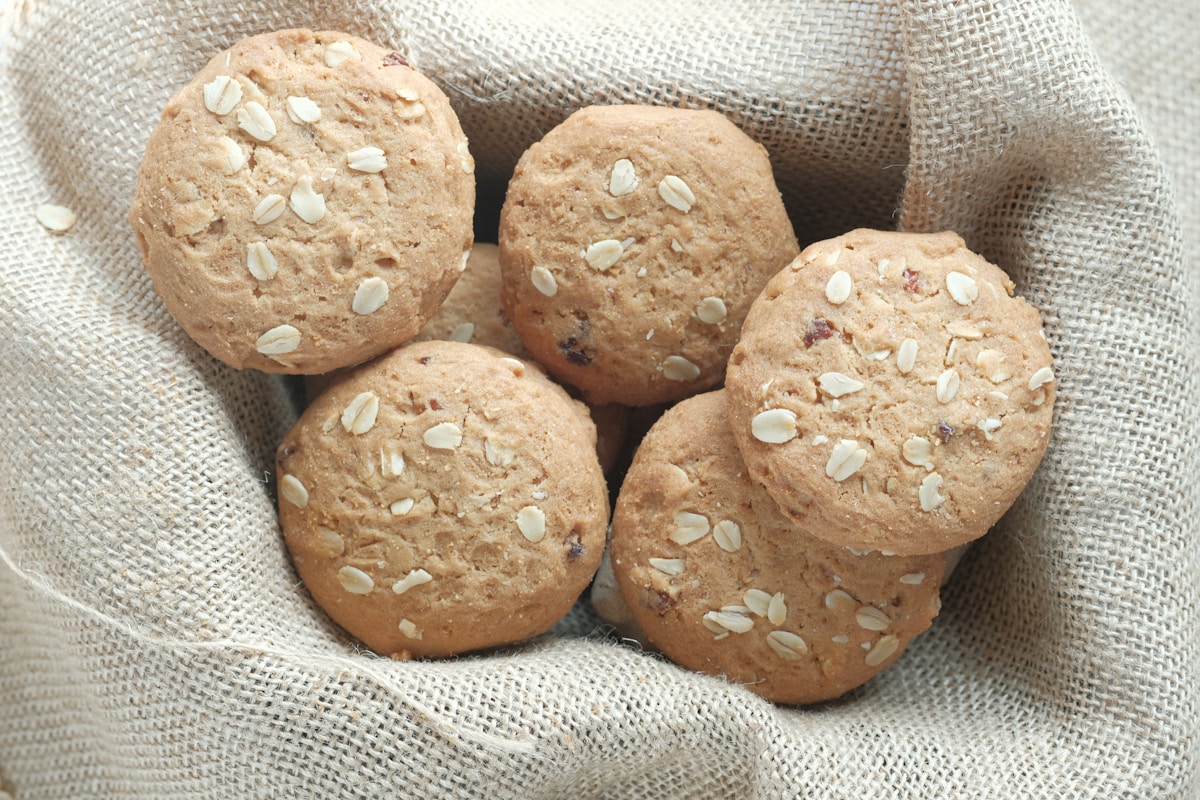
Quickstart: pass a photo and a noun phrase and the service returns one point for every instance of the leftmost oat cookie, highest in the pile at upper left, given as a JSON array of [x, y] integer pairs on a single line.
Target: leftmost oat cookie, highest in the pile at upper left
[[305, 203]]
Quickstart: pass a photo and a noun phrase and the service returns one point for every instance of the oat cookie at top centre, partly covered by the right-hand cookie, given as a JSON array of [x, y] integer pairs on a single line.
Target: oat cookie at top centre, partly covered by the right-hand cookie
[[633, 240]]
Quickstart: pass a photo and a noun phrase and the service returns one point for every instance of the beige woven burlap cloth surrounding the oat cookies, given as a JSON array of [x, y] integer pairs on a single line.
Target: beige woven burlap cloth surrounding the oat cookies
[[155, 643]]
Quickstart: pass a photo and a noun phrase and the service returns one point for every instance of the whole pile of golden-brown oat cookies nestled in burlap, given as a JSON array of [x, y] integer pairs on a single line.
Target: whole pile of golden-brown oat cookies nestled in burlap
[[836, 424]]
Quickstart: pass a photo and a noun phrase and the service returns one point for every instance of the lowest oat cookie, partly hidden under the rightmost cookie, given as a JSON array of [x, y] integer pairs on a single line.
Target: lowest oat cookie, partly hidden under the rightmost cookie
[[723, 584]]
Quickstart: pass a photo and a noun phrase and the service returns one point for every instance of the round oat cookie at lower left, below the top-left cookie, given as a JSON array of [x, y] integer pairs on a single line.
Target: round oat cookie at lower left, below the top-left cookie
[[442, 500]]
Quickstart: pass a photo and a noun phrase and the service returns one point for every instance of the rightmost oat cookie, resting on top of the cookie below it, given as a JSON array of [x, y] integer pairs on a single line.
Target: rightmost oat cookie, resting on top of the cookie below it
[[891, 393]]
